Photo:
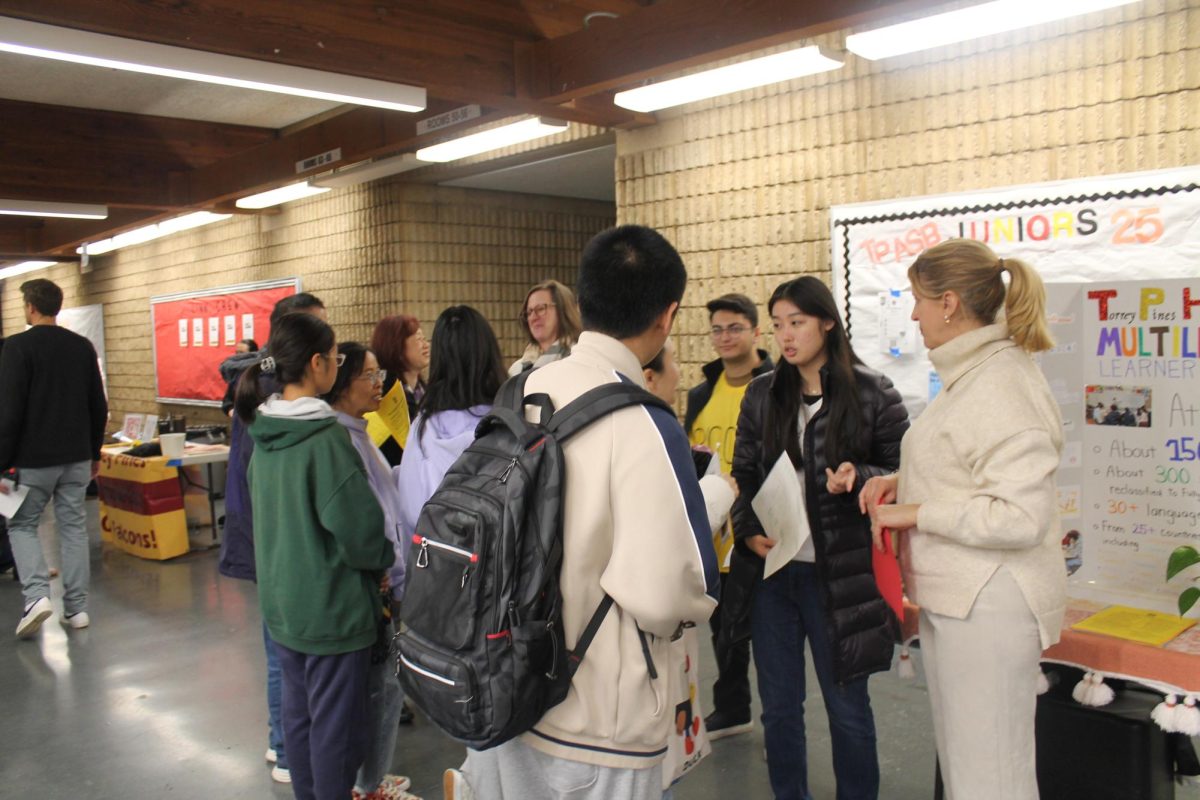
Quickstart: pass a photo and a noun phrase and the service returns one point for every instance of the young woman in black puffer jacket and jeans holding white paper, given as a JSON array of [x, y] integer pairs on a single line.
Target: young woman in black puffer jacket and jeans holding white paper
[[839, 424]]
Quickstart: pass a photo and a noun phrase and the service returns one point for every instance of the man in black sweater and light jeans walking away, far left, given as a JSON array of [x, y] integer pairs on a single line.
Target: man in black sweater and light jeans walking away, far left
[[52, 424]]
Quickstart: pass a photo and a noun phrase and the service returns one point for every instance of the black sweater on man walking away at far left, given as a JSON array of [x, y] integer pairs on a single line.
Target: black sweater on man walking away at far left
[[55, 408]]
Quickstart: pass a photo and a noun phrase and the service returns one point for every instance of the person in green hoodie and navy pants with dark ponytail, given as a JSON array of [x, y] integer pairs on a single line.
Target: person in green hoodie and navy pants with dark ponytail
[[320, 555]]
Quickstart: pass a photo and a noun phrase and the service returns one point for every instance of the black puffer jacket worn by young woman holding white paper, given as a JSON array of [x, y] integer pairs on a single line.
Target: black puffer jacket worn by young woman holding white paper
[[861, 624]]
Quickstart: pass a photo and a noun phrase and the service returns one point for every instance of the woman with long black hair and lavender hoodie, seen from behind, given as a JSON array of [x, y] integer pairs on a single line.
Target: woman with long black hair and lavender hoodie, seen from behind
[[466, 372]]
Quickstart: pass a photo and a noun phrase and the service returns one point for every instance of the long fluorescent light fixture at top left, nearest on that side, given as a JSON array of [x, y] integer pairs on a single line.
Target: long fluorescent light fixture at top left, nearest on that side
[[117, 53]]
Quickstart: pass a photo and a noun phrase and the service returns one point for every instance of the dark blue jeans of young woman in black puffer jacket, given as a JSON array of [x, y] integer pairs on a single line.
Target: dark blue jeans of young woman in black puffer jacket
[[789, 609]]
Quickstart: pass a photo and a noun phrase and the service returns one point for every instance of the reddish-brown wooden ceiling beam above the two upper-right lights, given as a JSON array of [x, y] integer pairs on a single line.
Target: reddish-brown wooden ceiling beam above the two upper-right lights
[[677, 34]]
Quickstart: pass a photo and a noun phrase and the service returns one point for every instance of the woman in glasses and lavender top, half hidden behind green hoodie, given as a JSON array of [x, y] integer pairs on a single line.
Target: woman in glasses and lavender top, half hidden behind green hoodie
[[357, 392]]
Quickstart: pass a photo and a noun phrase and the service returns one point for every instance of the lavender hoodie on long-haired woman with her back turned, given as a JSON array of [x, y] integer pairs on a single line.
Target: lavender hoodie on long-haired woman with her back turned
[[427, 462]]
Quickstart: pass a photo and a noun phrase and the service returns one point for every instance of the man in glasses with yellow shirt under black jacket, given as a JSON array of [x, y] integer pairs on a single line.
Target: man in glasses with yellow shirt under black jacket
[[712, 422]]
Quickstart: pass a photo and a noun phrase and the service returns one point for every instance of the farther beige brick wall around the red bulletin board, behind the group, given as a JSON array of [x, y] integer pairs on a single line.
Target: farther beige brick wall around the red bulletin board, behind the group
[[369, 251]]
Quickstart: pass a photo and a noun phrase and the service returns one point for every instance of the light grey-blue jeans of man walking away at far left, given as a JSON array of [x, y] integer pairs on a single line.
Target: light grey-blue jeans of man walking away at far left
[[68, 485]]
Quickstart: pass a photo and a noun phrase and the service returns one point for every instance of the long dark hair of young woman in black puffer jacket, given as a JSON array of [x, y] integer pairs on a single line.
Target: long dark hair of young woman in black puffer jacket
[[842, 400]]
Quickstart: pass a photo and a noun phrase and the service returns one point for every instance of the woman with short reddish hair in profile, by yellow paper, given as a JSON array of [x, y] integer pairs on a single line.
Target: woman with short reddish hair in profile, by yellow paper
[[404, 353]]
